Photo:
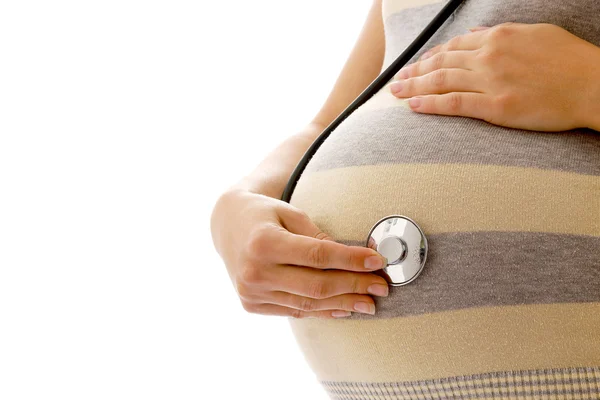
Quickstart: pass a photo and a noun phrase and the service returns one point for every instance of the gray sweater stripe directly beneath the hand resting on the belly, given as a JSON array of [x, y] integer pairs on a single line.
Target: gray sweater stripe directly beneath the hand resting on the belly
[[400, 136]]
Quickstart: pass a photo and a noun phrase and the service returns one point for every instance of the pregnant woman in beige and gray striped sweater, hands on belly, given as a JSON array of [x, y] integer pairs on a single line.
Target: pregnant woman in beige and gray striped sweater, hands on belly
[[489, 139]]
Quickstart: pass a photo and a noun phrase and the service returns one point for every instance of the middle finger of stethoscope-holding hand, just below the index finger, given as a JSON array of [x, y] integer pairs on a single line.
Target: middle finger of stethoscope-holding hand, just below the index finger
[[318, 284]]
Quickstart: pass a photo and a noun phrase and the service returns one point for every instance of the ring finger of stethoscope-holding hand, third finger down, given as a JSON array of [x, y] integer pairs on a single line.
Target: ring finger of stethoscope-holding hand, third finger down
[[348, 302]]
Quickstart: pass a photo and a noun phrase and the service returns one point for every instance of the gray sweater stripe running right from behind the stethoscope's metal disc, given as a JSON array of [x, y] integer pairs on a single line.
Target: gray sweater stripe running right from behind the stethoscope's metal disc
[[476, 269]]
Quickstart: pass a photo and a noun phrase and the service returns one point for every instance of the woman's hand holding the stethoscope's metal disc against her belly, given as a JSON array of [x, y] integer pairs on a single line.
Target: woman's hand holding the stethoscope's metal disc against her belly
[[281, 263]]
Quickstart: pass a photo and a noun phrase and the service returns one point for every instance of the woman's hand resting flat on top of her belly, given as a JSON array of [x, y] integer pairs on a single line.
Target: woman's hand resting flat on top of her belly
[[536, 77]]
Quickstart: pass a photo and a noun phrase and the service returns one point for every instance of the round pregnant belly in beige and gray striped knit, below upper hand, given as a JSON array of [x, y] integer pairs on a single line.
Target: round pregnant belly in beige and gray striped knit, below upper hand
[[508, 303]]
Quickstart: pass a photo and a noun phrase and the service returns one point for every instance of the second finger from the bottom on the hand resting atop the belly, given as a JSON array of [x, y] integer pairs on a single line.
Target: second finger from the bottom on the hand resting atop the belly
[[437, 82]]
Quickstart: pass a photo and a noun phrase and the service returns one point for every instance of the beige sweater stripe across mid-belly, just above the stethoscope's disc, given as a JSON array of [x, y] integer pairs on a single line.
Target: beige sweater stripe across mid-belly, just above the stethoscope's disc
[[346, 202]]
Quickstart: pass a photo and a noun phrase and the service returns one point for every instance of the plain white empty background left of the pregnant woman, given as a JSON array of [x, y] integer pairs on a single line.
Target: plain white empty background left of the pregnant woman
[[120, 124]]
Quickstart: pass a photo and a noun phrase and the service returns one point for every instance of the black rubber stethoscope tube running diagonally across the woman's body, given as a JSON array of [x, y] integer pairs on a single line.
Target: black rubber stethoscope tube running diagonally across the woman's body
[[370, 91]]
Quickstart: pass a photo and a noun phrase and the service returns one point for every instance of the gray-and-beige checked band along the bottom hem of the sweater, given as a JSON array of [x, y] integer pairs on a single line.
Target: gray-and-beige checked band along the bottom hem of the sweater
[[587, 382]]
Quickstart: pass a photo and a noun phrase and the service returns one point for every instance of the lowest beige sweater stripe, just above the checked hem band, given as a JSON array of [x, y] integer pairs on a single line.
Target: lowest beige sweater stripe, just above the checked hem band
[[452, 343]]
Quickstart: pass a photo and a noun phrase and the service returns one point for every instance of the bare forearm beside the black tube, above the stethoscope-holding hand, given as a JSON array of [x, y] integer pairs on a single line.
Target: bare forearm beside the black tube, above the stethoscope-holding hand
[[271, 175]]
